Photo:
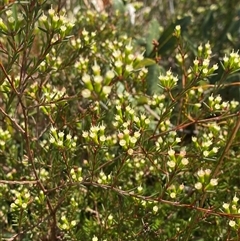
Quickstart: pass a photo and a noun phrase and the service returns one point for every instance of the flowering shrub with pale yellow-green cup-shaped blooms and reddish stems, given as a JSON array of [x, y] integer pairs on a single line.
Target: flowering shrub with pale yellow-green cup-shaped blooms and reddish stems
[[88, 154]]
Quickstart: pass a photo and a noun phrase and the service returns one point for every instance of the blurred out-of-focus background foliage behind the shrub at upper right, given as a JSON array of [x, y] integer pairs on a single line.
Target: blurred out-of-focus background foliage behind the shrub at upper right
[[216, 22]]
